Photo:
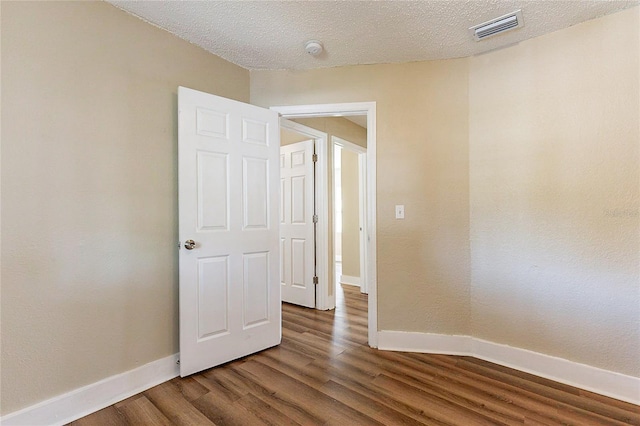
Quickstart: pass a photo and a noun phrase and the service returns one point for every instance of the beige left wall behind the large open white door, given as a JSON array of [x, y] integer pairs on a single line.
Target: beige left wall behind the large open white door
[[89, 192]]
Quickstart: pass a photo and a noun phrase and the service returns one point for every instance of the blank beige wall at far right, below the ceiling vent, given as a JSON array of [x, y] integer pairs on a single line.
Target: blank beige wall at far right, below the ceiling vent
[[554, 148]]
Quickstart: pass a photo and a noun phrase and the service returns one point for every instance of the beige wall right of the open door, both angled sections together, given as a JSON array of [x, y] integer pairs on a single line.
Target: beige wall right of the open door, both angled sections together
[[548, 163]]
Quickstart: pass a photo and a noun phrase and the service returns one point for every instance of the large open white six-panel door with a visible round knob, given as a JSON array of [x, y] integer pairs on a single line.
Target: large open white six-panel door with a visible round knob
[[228, 229]]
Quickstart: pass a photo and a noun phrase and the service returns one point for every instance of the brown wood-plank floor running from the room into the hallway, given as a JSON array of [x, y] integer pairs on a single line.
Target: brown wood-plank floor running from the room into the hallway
[[324, 373]]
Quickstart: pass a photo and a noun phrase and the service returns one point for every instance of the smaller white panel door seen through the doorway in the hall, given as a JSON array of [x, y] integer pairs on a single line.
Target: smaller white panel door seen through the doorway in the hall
[[297, 240]]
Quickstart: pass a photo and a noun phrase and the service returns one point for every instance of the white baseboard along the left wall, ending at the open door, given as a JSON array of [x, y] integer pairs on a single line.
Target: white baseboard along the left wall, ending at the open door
[[80, 402]]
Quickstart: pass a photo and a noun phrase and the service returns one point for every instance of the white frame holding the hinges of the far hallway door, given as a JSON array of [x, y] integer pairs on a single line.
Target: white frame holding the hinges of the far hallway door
[[323, 302]]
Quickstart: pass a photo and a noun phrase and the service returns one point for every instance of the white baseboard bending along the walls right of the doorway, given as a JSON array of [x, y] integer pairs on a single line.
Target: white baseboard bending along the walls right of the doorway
[[604, 382]]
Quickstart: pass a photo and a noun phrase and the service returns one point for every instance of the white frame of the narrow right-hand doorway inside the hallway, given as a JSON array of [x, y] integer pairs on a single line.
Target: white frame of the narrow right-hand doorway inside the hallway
[[361, 152]]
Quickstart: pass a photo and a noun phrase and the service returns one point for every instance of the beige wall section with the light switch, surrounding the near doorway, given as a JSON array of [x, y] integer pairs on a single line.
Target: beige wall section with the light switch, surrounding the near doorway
[[423, 163]]
